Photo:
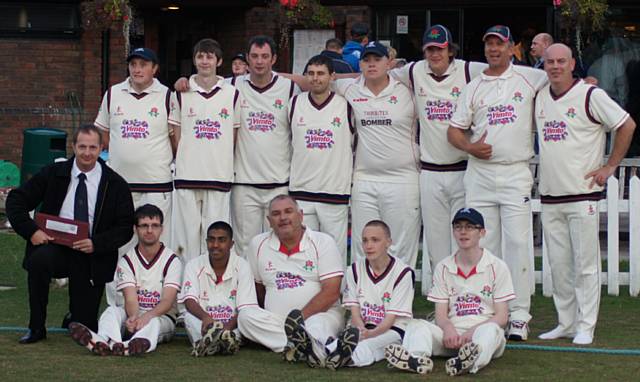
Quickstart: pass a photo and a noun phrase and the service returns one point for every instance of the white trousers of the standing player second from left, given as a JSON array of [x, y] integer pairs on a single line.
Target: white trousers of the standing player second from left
[[195, 210]]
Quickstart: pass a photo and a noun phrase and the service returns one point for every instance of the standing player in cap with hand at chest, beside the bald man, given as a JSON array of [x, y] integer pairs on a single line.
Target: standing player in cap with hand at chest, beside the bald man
[[493, 123]]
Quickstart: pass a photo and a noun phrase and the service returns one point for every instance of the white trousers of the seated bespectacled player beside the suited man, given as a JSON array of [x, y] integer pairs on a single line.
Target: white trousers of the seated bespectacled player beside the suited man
[[111, 326]]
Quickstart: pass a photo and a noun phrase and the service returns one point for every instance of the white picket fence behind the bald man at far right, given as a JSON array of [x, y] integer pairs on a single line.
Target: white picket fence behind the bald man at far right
[[614, 206]]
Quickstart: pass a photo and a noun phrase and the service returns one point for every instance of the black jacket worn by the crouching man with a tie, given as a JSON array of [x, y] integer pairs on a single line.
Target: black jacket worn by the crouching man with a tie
[[113, 217]]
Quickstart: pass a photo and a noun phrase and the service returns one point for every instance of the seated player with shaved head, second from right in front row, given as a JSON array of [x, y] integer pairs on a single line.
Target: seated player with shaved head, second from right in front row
[[379, 294]]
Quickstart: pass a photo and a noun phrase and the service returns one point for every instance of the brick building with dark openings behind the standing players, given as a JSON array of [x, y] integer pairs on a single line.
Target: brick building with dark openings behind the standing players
[[53, 72]]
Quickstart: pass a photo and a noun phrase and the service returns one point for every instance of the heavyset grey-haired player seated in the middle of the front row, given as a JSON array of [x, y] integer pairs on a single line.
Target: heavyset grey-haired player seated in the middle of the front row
[[298, 273]]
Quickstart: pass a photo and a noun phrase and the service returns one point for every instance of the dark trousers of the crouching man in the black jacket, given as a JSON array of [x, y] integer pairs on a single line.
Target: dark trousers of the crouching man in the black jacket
[[55, 261]]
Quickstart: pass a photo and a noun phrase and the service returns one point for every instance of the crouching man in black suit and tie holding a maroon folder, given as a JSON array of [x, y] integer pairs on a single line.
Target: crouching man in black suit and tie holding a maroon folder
[[81, 188]]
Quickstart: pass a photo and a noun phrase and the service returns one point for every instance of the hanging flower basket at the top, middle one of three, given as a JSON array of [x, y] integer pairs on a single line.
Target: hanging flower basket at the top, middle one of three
[[301, 14]]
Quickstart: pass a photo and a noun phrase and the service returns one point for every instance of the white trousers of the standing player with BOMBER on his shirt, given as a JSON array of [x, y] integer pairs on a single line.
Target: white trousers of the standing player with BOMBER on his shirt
[[398, 205]]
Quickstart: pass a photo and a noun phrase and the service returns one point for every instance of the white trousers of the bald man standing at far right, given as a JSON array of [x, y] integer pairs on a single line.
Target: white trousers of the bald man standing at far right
[[571, 234]]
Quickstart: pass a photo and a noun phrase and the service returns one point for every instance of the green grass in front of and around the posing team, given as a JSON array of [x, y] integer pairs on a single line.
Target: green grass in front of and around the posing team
[[59, 358]]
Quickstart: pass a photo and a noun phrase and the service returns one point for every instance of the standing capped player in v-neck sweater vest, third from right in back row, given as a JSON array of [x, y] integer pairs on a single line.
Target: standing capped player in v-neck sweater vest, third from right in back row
[[437, 82]]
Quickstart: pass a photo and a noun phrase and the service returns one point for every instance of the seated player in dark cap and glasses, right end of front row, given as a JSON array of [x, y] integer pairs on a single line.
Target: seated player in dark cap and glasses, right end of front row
[[470, 290]]
